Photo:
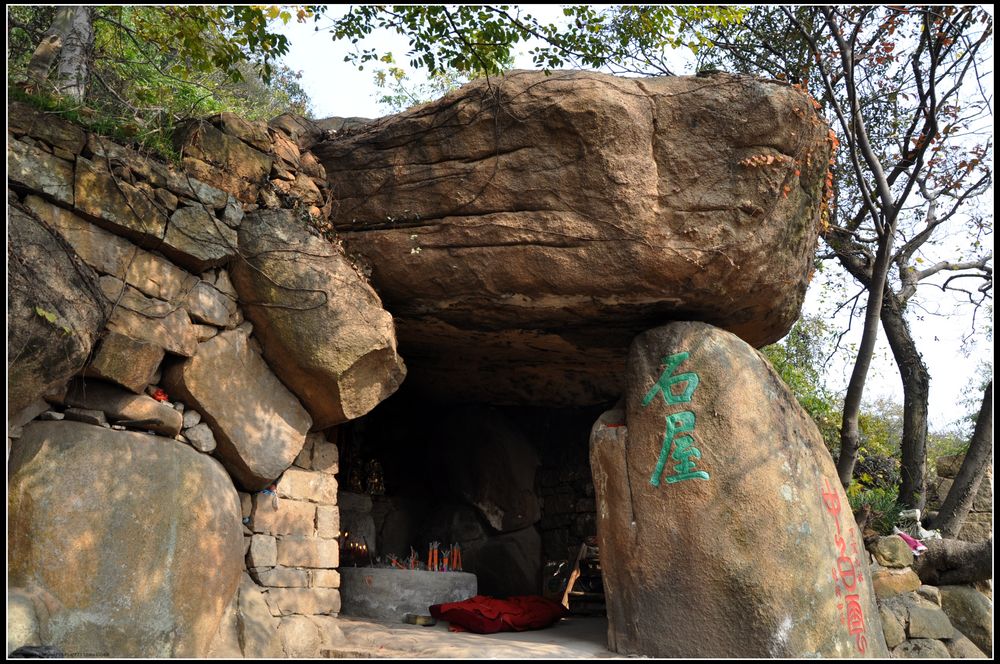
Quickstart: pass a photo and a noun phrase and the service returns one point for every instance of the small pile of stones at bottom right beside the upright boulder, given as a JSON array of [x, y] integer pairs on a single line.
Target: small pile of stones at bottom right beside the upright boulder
[[926, 621]]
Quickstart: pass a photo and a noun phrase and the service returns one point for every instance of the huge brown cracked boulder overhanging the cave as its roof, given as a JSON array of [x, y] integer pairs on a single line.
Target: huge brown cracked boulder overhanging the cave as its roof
[[524, 228]]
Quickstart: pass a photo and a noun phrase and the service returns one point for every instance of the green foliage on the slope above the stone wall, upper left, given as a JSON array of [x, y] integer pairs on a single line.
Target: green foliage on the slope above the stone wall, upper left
[[148, 67]]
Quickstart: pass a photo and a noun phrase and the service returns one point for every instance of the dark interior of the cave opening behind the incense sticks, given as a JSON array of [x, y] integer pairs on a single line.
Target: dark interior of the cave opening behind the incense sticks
[[511, 486]]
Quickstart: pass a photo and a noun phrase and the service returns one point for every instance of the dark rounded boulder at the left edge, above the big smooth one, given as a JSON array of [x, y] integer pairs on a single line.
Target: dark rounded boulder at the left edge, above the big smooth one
[[54, 309]]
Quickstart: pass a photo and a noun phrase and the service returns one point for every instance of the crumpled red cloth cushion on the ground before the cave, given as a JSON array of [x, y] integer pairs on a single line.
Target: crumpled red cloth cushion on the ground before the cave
[[488, 615]]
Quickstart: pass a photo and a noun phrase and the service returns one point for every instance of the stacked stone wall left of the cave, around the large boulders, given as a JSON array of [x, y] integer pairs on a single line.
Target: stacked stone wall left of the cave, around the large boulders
[[172, 355]]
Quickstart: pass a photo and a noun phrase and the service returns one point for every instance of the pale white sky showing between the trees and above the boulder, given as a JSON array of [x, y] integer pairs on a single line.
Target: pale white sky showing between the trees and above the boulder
[[338, 88]]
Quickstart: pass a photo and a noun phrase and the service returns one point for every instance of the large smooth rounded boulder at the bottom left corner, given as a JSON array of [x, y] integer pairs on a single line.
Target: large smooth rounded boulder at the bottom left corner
[[139, 542]]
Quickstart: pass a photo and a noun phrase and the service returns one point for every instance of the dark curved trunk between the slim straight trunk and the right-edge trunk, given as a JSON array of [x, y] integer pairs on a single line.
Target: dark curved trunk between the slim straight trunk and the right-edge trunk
[[916, 393]]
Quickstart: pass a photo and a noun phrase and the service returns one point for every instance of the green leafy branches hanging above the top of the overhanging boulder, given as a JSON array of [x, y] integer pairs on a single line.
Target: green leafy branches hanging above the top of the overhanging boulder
[[481, 38]]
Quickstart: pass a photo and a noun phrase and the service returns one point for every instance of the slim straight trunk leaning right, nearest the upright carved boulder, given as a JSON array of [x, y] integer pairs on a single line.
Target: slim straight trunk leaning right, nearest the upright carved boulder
[[849, 433]]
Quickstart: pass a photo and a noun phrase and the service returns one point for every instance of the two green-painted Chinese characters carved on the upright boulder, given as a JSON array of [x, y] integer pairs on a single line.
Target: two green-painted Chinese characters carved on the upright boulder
[[684, 450]]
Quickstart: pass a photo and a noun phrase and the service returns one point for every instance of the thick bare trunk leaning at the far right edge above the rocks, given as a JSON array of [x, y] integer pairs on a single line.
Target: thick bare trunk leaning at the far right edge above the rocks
[[966, 485]]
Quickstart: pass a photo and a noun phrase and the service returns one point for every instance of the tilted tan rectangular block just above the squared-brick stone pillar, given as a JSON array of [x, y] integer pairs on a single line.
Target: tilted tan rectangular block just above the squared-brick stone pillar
[[259, 425]]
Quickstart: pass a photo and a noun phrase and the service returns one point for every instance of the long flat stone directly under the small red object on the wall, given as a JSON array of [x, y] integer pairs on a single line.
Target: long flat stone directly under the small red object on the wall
[[120, 405]]
